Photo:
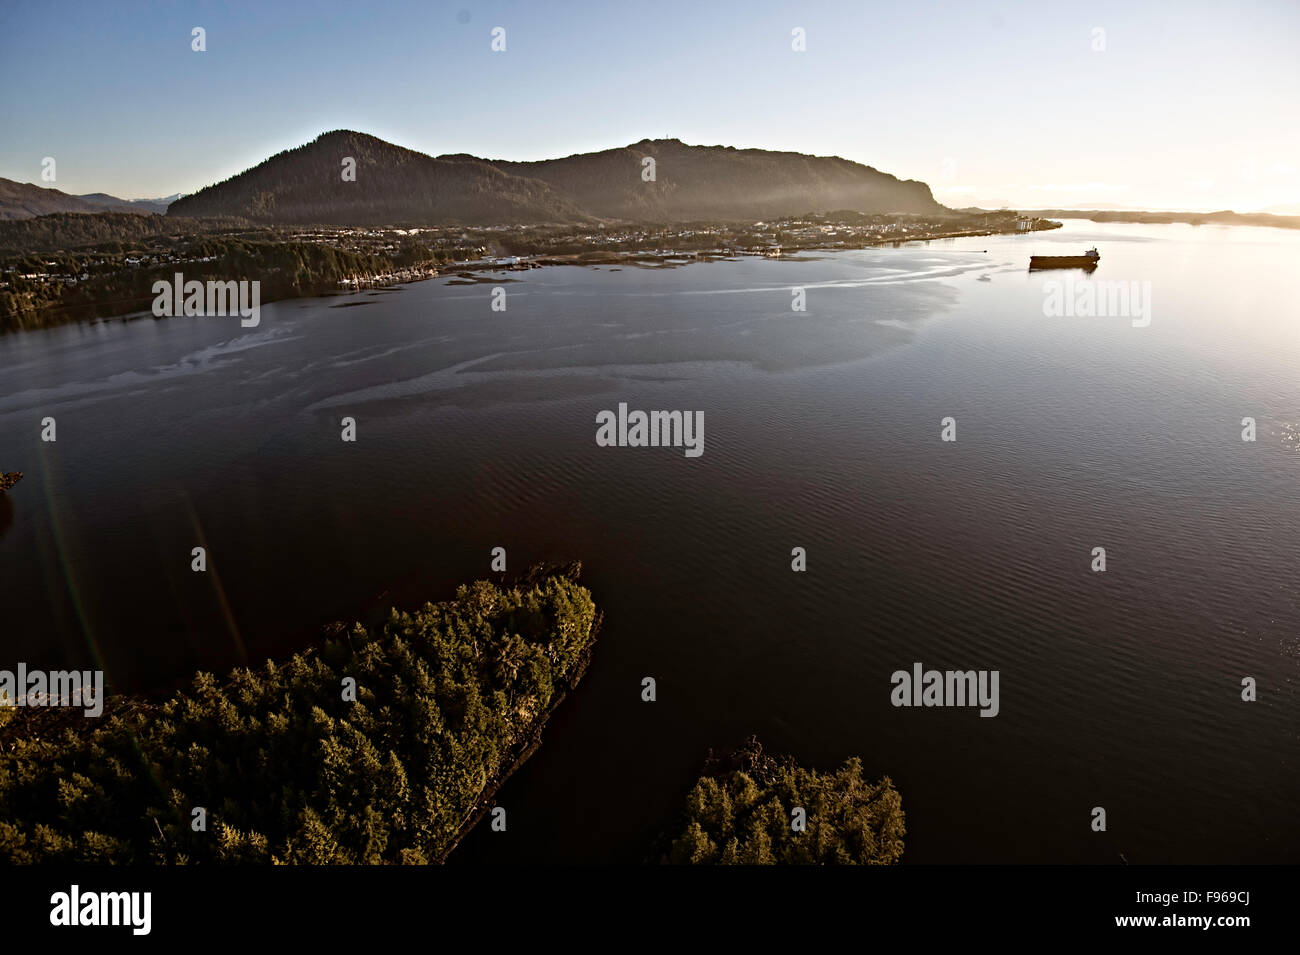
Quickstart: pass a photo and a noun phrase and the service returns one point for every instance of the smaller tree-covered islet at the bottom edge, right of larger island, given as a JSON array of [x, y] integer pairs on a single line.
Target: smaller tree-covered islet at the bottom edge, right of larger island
[[744, 811]]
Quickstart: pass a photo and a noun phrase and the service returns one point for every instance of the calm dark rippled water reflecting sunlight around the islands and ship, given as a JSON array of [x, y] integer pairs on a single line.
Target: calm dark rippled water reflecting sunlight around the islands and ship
[[822, 431]]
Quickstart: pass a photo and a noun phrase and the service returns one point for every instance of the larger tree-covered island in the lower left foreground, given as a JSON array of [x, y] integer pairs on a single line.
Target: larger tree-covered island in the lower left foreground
[[287, 766]]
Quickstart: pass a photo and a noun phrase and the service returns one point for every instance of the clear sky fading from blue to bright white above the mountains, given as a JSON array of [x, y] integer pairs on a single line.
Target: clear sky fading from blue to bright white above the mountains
[[1146, 105]]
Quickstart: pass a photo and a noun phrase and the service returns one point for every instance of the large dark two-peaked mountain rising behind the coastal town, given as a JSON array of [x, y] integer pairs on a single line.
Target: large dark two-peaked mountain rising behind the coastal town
[[398, 186]]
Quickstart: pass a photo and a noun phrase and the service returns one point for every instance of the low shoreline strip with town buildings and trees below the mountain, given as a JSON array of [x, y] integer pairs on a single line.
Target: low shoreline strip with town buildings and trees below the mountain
[[99, 279]]
